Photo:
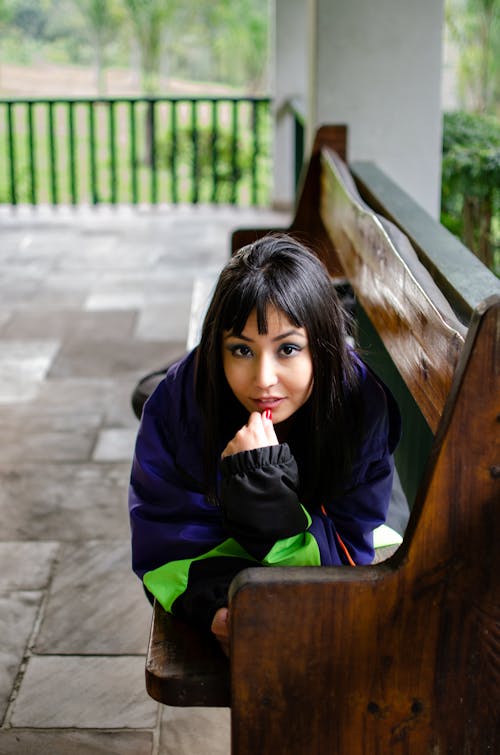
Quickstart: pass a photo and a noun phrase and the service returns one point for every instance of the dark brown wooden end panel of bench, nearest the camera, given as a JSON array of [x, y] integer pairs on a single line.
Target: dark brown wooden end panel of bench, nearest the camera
[[403, 657]]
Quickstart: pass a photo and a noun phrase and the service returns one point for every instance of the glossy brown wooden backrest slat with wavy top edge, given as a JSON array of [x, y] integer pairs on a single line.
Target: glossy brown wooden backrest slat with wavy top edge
[[415, 322]]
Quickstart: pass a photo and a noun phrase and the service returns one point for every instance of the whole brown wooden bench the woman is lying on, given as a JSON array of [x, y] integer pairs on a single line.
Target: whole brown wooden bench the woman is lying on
[[402, 656]]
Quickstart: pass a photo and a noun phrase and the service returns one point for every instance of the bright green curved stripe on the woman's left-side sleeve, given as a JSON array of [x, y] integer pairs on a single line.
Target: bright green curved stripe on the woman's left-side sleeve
[[169, 581]]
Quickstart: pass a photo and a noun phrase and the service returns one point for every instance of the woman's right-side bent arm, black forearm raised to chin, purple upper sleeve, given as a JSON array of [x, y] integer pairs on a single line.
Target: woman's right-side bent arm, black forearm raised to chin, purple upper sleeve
[[262, 507]]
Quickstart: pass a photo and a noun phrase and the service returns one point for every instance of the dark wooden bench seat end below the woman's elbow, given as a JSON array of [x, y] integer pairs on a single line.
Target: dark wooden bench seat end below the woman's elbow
[[185, 666]]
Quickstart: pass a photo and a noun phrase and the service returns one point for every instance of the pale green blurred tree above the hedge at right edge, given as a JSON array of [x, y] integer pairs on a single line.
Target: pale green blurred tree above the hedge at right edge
[[475, 27]]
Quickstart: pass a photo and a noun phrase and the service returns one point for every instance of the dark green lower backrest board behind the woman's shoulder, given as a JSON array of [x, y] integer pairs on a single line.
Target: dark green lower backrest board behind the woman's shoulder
[[414, 447]]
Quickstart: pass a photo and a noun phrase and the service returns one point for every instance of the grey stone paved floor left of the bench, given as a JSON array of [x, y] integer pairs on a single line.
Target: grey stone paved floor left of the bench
[[89, 301]]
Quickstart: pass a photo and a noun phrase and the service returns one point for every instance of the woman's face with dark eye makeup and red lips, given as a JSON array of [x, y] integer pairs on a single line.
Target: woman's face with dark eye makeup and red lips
[[272, 371]]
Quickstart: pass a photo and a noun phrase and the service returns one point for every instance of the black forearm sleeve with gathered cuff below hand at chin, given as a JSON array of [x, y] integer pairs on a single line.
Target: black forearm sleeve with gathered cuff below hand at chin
[[259, 497]]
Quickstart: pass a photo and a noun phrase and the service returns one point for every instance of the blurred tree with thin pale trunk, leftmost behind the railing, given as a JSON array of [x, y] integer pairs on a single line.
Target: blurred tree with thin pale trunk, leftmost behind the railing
[[101, 18]]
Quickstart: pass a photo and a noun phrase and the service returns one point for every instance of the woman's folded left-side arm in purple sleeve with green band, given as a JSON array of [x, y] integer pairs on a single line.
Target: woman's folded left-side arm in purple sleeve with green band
[[180, 548]]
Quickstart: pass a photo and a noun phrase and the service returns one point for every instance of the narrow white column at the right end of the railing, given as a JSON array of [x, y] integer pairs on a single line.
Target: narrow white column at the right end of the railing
[[290, 81]]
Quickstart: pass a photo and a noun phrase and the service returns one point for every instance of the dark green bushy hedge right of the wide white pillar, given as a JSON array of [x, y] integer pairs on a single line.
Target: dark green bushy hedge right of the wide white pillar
[[471, 182]]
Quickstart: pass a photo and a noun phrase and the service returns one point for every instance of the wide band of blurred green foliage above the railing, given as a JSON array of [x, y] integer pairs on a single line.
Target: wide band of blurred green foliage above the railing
[[222, 41]]
